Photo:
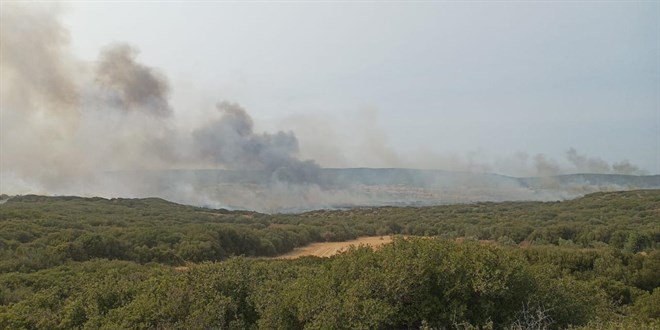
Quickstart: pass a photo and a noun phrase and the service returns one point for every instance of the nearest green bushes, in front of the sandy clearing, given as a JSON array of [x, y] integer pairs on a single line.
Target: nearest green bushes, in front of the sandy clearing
[[410, 284]]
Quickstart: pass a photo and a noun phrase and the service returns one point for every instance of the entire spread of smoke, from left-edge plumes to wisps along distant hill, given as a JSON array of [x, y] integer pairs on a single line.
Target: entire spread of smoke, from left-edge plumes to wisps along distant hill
[[107, 128]]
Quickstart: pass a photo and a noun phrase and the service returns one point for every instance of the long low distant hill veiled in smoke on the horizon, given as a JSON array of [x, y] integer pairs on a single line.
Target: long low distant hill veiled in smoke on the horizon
[[329, 188]]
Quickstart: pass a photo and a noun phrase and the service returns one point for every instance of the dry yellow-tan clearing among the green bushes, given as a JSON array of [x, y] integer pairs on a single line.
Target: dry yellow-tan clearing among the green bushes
[[328, 249]]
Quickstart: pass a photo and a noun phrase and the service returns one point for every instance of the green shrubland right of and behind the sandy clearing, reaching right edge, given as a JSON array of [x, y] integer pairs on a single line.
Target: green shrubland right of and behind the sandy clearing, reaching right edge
[[624, 220]]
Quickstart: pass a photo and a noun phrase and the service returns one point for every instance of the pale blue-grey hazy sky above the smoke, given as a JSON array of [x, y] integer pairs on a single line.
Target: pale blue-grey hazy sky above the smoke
[[374, 83]]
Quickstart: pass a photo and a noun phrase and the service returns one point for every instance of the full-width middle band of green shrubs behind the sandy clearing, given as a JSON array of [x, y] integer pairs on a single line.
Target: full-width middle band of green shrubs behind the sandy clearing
[[39, 232]]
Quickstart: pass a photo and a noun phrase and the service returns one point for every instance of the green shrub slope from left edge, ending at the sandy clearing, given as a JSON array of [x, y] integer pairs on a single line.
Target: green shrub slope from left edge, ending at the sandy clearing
[[38, 232]]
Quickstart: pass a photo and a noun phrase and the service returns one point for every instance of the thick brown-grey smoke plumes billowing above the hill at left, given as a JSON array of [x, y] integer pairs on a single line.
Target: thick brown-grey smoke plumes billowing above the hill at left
[[64, 121]]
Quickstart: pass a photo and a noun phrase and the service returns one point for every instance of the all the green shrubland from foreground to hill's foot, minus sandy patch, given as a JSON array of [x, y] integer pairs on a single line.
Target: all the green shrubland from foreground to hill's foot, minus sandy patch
[[69, 262]]
